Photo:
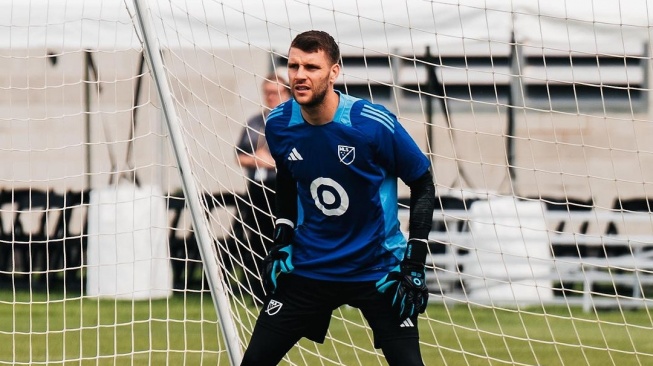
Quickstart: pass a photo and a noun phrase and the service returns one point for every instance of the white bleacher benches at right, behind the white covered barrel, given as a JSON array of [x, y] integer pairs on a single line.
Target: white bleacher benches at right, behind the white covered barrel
[[589, 269]]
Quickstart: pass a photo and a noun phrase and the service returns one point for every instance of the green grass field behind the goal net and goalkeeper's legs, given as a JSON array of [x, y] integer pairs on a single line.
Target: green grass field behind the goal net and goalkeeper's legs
[[183, 331]]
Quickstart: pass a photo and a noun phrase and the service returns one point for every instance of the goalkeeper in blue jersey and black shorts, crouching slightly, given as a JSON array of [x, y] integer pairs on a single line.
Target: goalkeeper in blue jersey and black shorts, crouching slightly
[[337, 239]]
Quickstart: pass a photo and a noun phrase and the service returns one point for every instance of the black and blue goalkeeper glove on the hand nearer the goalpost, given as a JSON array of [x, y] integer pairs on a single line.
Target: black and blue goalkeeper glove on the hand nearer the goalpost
[[279, 259]]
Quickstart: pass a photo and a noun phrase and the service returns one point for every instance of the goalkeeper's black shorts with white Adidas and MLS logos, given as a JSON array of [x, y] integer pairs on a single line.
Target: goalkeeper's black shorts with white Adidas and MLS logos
[[302, 307]]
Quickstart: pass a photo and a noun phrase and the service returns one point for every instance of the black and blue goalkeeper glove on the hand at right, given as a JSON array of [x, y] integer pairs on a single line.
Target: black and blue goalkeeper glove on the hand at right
[[407, 282]]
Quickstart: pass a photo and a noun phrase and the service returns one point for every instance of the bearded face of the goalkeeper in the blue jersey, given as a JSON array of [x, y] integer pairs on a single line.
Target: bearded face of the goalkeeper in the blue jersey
[[310, 75]]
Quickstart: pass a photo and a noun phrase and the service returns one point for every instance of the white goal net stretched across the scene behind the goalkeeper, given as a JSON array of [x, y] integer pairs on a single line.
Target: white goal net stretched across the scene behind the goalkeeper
[[129, 227]]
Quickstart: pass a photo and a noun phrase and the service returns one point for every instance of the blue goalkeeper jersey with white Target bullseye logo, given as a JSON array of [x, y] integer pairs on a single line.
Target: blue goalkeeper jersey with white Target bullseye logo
[[346, 174]]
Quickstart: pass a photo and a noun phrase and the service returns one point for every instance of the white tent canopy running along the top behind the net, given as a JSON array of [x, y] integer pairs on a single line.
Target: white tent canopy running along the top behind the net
[[448, 26]]
